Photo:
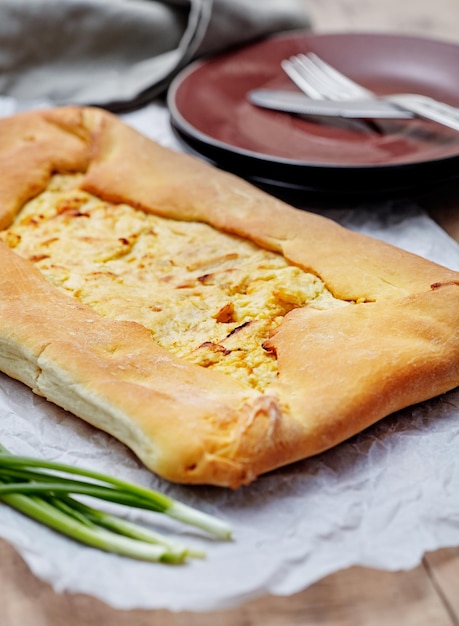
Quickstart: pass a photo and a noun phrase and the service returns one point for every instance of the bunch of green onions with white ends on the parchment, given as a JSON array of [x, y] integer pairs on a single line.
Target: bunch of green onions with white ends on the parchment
[[44, 491]]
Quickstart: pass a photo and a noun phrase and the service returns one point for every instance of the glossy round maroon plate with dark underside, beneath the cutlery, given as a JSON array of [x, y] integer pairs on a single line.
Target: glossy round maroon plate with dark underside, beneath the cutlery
[[210, 111]]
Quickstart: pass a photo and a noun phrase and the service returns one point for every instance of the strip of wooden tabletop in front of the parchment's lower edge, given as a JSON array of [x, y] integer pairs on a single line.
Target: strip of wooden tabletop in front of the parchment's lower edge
[[357, 597]]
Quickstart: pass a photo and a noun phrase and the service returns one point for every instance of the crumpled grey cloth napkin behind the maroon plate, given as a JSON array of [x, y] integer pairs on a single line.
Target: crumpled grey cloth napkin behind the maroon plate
[[122, 53]]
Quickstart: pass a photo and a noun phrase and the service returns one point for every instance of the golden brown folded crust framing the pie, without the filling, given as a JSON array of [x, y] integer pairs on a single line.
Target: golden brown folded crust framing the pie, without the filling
[[339, 370]]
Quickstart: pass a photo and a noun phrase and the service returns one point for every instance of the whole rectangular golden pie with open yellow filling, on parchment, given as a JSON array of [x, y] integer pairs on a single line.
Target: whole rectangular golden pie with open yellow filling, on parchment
[[216, 331]]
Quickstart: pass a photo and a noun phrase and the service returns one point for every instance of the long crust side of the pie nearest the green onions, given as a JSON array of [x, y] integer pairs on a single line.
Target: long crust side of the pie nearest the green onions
[[113, 375]]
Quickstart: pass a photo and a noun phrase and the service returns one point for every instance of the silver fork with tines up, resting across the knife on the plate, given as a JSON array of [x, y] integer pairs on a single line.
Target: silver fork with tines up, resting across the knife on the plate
[[321, 81]]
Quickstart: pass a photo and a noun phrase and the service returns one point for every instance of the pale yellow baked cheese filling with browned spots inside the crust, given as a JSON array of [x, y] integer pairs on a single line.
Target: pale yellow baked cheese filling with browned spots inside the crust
[[207, 296]]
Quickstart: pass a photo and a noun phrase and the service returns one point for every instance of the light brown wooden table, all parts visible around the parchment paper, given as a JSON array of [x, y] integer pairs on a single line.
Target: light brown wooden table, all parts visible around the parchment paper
[[424, 596]]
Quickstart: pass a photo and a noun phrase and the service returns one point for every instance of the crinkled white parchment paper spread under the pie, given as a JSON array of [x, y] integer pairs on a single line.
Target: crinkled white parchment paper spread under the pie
[[381, 499]]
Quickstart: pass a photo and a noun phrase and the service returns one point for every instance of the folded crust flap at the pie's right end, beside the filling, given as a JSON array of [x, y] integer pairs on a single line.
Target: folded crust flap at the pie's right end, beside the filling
[[356, 364]]
